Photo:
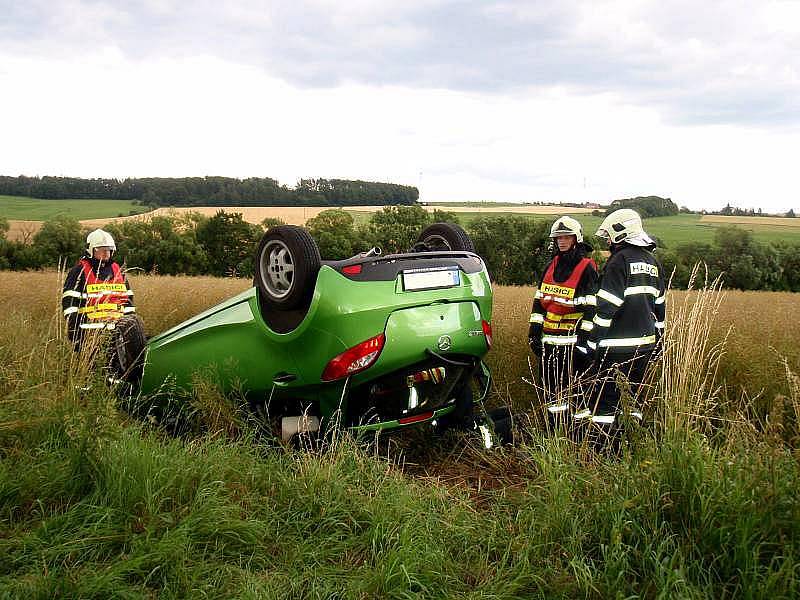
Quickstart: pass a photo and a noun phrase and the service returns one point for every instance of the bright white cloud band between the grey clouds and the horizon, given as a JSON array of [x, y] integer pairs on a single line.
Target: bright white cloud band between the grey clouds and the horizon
[[108, 115]]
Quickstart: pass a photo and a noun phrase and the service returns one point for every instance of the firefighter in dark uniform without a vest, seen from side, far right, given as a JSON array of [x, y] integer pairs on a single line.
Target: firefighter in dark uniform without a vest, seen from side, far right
[[628, 323]]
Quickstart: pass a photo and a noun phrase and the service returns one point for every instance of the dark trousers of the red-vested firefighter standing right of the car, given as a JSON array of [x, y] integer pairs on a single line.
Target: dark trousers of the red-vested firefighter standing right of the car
[[560, 367]]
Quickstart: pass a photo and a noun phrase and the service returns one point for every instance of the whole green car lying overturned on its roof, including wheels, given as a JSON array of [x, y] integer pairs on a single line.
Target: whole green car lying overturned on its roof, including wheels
[[369, 343]]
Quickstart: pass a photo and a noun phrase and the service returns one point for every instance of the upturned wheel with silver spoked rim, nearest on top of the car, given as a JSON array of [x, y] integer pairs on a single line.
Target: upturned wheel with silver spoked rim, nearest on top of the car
[[287, 263]]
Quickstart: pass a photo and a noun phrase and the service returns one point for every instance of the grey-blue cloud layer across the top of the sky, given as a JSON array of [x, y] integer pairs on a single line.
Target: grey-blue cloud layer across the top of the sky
[[713, 62]]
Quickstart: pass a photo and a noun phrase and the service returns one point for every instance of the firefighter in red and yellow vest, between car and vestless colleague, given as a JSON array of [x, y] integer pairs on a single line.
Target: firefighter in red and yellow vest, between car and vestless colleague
[[564, 299]]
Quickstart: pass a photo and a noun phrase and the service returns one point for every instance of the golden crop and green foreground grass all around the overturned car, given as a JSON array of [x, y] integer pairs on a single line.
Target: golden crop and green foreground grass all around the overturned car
[[702, 504]]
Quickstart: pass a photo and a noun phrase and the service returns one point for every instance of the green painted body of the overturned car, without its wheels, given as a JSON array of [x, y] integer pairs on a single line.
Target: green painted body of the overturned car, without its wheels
[[440, 333]]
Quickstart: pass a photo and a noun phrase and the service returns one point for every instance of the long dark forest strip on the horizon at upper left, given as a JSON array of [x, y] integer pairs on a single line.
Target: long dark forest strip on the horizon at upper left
[[213, 191]]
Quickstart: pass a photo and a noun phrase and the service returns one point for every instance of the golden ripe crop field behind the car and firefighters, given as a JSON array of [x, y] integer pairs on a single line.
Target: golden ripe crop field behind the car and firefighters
[[763, 329]]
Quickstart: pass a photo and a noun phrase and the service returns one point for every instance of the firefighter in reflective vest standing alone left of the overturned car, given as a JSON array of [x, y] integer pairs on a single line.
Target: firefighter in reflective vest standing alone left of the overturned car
[[96, 293]]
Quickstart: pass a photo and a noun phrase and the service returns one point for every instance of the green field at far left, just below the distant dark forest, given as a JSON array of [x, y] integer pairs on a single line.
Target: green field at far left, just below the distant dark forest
[[35, 209]]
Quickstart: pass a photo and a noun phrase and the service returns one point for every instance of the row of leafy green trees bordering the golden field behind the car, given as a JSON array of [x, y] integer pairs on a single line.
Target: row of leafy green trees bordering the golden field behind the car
[[516, 249]]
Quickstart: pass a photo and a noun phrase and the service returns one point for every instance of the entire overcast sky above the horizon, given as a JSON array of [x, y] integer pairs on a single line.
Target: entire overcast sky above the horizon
[[469, 100]]
